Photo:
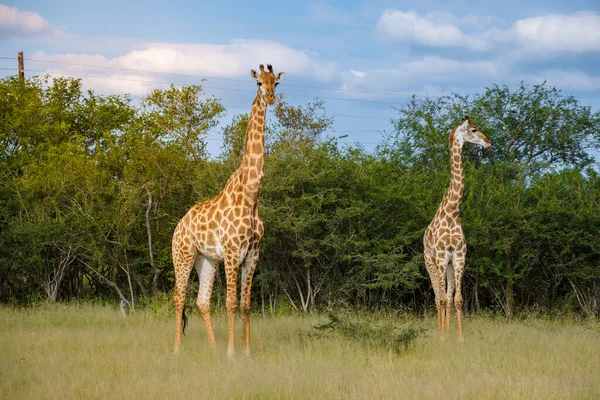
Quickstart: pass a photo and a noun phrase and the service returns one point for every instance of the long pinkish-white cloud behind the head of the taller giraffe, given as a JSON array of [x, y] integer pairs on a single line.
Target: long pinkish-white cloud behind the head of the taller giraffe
[[233, 60]]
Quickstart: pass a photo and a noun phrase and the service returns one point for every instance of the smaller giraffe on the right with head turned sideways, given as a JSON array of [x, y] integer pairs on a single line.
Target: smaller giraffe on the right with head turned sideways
[[444, 241]]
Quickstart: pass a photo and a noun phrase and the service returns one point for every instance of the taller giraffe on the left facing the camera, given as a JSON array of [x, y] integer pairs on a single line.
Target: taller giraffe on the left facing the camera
[[226, 228]]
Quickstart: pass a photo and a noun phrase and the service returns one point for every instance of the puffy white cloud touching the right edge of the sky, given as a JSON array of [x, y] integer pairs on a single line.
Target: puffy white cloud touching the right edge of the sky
[[578, 32]]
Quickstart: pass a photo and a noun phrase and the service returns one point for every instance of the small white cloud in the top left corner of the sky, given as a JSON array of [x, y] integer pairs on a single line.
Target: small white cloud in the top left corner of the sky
[[15, 23]]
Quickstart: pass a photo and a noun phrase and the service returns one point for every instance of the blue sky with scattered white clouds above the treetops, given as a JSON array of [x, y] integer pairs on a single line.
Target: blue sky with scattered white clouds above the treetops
[[347, 52]]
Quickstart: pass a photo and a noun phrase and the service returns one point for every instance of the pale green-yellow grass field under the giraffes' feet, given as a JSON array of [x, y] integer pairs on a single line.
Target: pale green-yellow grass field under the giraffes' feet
[[91, 352]]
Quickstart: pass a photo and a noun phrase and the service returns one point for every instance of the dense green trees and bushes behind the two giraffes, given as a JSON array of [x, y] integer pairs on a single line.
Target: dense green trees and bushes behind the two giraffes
[[91, 188]]
